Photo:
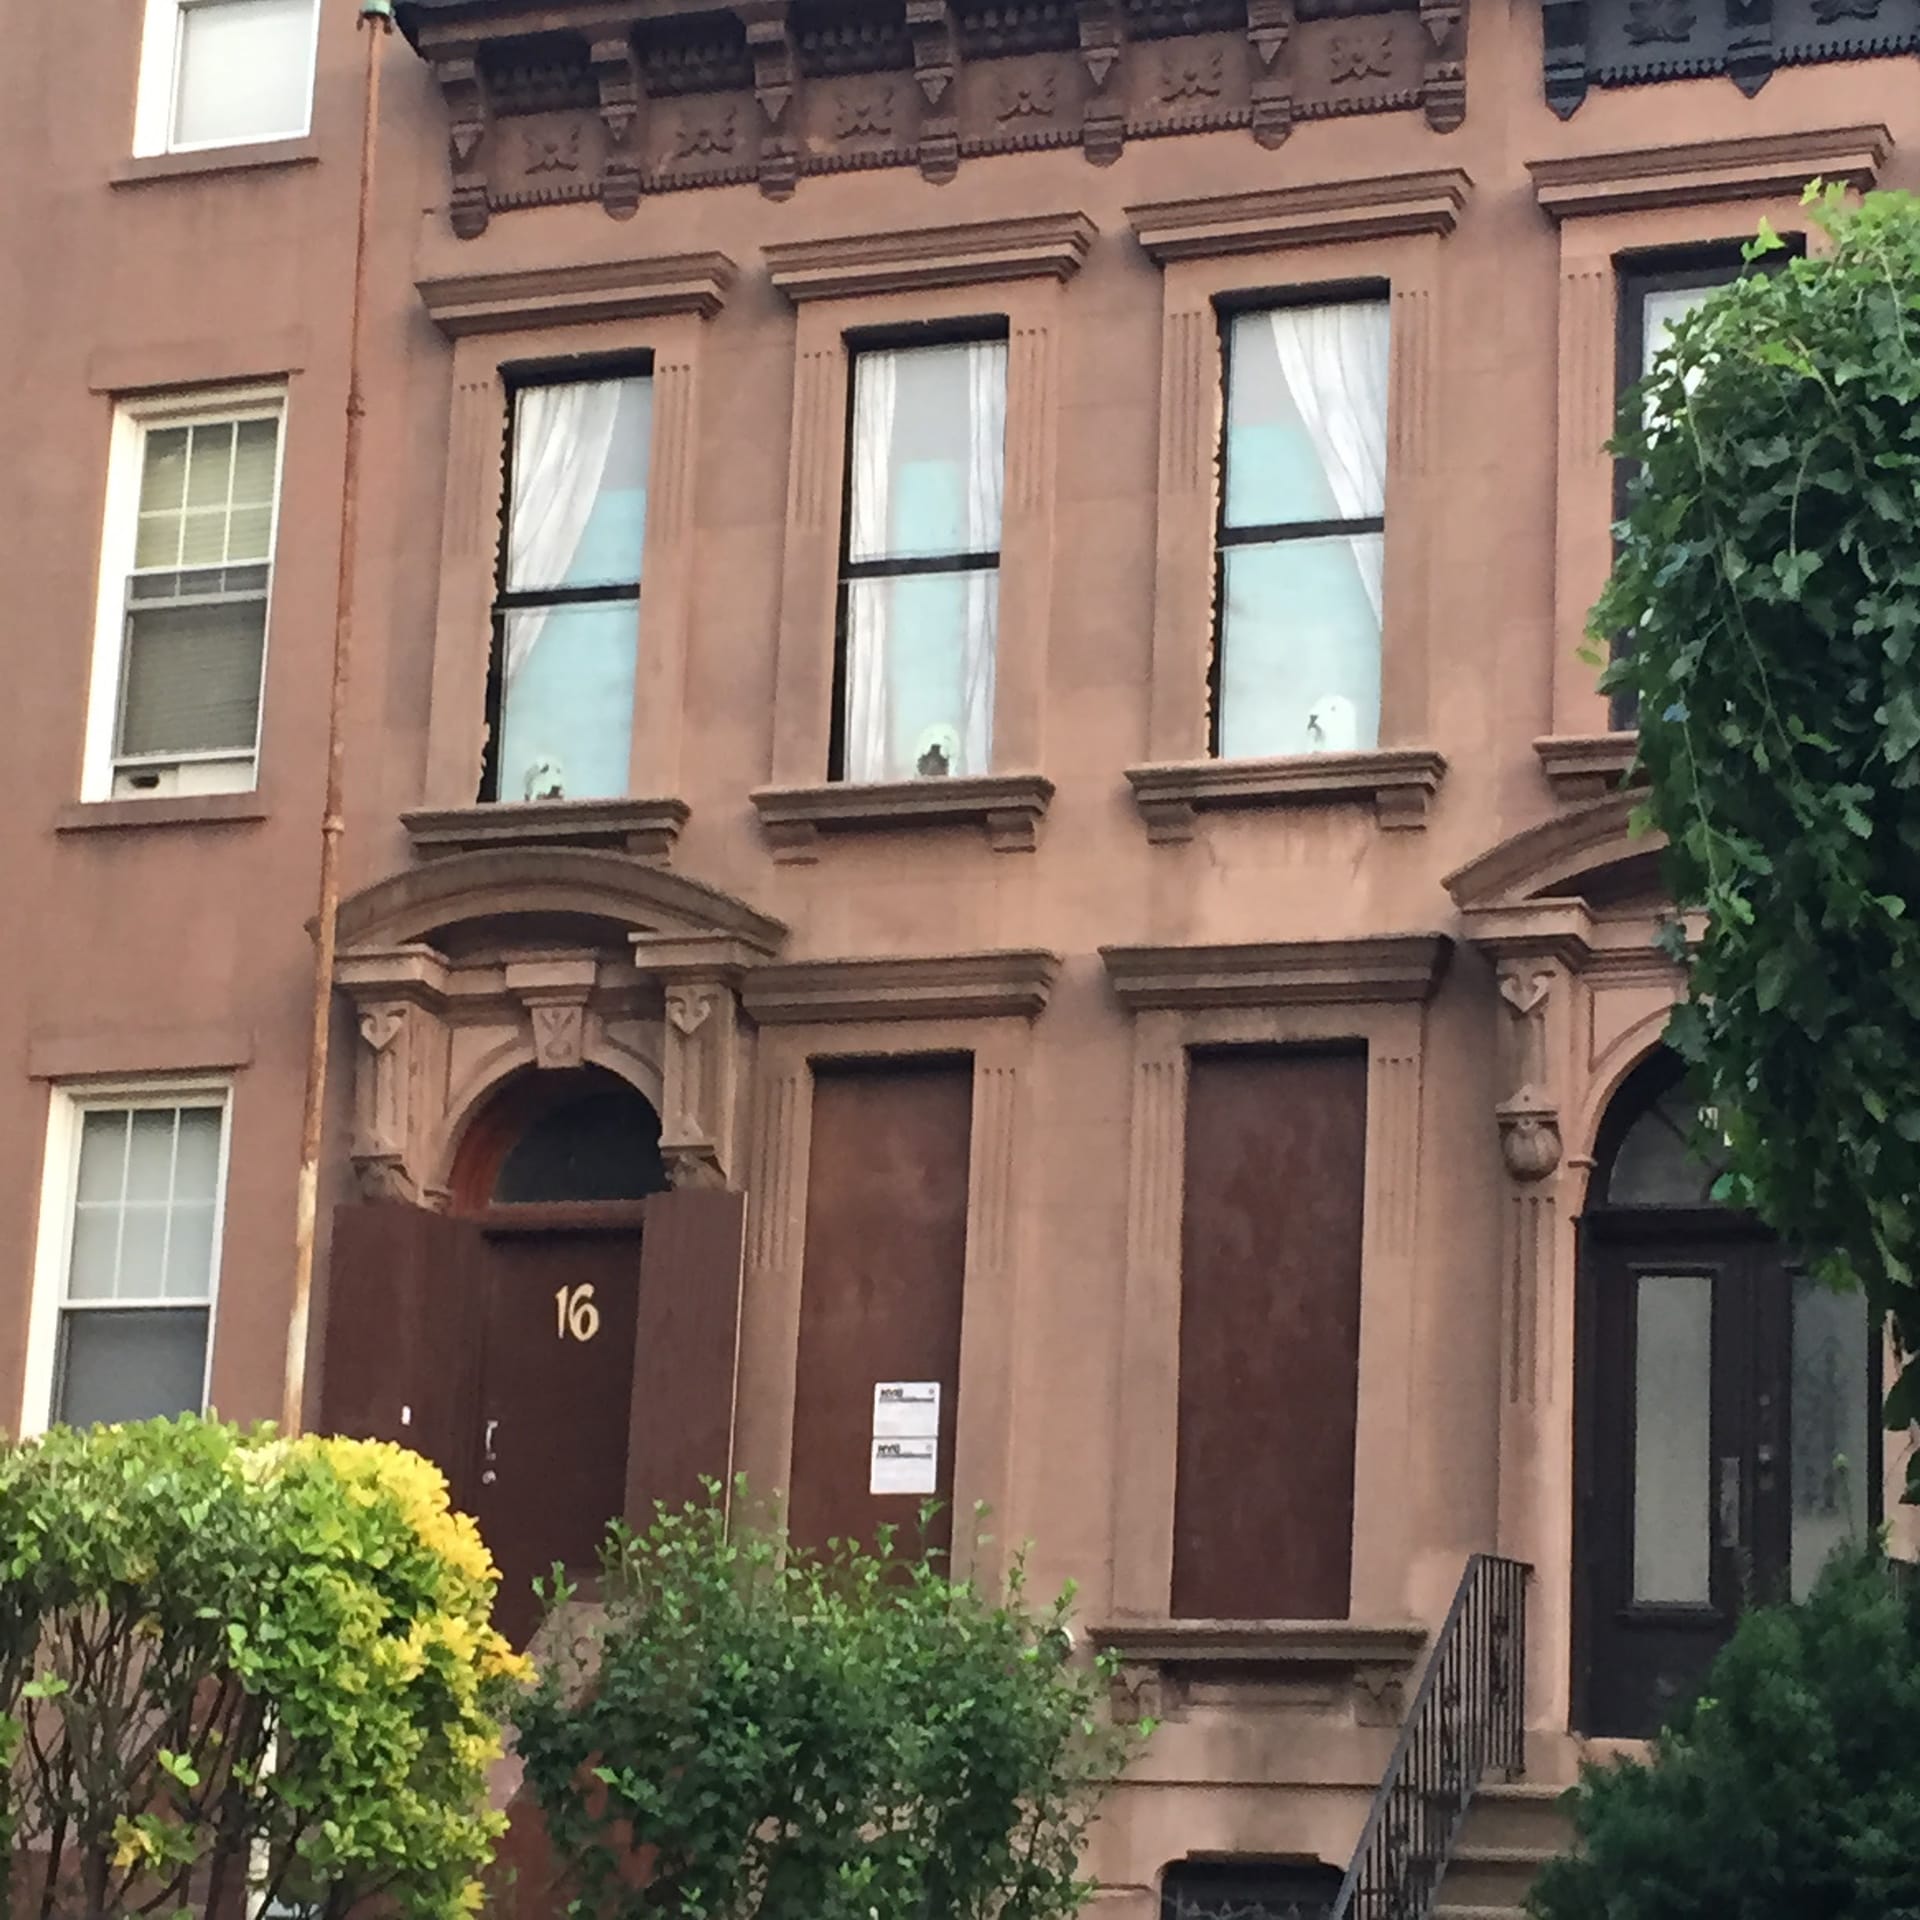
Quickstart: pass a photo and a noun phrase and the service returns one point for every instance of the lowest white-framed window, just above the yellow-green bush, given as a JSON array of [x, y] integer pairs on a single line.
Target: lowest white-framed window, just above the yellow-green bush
[[130, 1253]]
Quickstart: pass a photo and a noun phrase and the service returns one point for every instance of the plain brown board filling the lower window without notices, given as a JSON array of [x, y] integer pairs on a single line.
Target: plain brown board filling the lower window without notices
[[1270, 1333]]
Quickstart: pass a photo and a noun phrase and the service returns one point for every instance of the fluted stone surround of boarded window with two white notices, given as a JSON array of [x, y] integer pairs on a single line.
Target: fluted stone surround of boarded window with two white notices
[[949, 1005]]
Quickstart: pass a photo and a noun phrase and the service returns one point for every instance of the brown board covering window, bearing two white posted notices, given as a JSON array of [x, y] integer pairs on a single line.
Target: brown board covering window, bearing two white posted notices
[[880, 1293]]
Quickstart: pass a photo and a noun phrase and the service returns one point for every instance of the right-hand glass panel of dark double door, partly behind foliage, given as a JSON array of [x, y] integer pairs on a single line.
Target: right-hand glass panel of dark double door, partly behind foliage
[[1831, 1410]]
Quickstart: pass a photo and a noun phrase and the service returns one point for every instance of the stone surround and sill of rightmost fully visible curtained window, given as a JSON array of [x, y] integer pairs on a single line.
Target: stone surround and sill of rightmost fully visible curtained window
[[1335, 235]]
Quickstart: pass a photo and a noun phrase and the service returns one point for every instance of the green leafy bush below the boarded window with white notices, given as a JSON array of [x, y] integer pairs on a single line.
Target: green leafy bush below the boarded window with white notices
[[756, 1733]]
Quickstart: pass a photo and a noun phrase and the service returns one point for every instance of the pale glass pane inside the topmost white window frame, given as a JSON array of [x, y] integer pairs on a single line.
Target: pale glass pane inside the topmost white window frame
[[247, 72]]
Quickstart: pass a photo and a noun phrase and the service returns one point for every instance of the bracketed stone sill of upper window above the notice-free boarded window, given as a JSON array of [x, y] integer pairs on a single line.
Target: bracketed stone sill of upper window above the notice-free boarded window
[[1401, 782]]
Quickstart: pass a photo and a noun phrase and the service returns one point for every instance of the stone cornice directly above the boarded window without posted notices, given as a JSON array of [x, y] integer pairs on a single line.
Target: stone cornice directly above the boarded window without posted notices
[[1376, 969]]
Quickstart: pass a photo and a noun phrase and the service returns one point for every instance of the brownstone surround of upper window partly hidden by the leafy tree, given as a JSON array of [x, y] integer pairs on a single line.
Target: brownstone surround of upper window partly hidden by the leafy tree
[[1641, 203]]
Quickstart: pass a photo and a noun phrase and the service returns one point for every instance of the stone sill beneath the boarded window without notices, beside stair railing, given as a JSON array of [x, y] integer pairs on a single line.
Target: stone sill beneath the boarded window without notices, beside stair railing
[[1168, 1666]]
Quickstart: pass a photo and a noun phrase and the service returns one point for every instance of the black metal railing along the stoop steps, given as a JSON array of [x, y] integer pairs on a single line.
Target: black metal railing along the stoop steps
[[1470, 1716]]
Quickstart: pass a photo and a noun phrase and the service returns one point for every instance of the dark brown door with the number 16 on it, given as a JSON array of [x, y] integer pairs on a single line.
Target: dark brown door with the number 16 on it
[[558, 1374]]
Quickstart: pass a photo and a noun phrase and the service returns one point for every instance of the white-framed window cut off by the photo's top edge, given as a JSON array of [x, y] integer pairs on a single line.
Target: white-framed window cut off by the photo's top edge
[[226, 74]]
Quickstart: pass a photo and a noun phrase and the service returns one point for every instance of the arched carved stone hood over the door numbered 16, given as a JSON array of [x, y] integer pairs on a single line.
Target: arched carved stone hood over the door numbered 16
[[481, 965]]
